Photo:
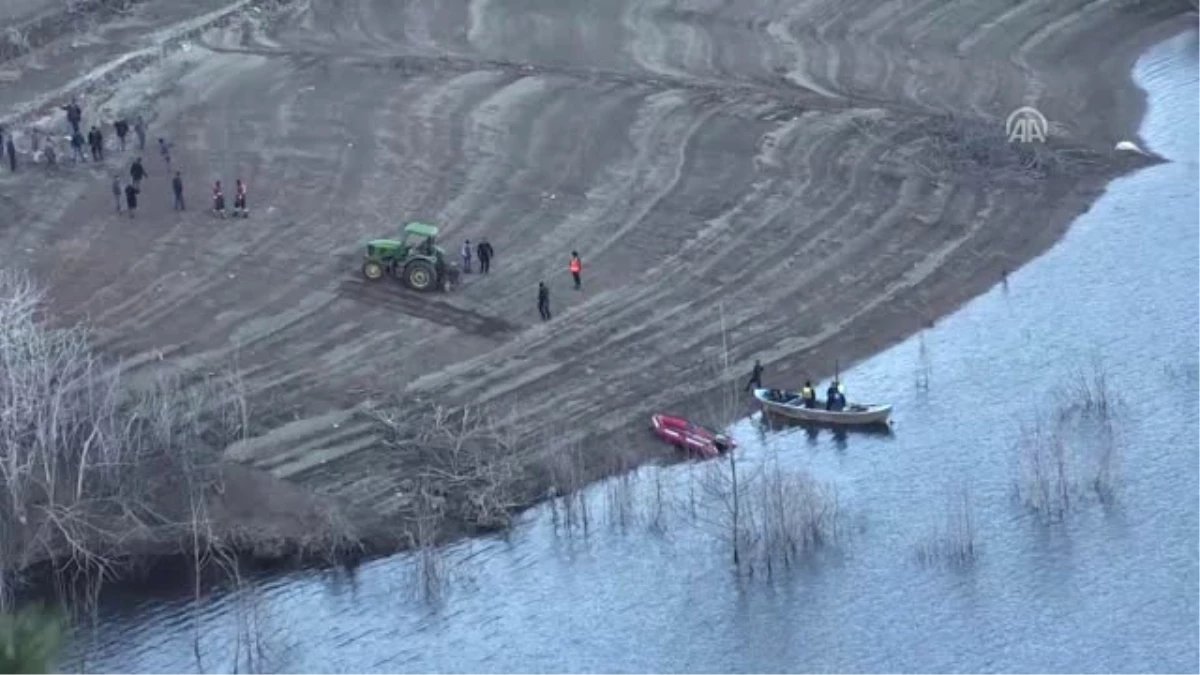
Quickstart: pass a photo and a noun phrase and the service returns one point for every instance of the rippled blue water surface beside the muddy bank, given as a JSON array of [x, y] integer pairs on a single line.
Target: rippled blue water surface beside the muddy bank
[[1113, 588]]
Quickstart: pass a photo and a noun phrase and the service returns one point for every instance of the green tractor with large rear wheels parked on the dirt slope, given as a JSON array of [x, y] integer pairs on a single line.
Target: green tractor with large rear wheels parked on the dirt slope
[[416, 260]]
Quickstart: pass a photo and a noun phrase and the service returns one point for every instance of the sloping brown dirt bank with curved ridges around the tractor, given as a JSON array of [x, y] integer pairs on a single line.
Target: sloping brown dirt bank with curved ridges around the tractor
[[827, 177]]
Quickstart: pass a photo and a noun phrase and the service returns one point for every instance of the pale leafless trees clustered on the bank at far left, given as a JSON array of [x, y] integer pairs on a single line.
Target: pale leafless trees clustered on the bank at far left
[[88, 462]]
